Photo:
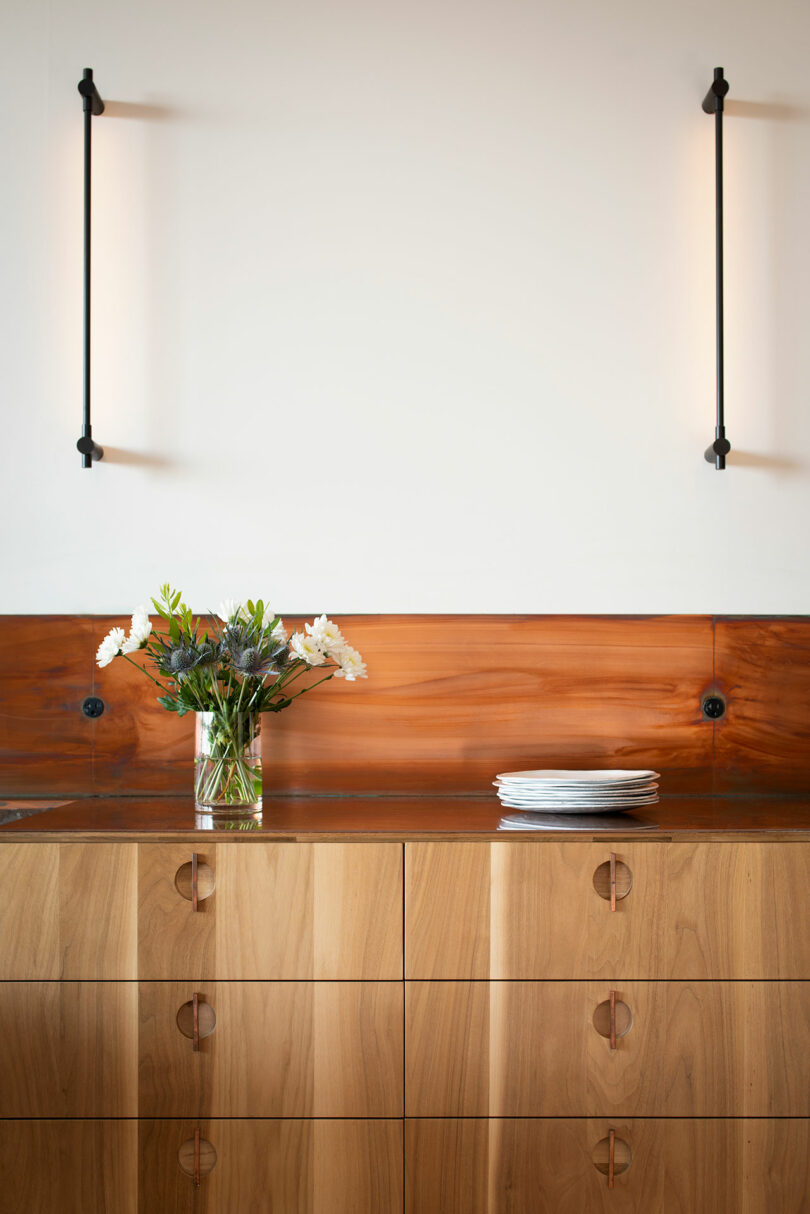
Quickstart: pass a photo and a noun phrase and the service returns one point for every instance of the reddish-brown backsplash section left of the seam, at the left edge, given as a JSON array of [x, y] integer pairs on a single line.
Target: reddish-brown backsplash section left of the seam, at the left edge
[[46, 674]]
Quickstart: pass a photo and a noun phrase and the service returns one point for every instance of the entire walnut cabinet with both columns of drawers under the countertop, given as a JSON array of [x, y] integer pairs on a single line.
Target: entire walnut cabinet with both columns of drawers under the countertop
[[222, 1028]]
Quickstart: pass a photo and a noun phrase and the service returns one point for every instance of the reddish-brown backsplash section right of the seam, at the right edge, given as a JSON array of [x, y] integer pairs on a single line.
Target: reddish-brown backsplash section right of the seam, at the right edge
[[764, 740]]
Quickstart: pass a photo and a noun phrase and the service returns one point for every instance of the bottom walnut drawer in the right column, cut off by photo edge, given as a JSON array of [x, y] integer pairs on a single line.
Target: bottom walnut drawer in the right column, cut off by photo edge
[[562, 1167]]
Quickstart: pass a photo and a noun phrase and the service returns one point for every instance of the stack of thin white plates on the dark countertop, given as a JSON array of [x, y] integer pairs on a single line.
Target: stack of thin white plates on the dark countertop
[[552, 791]]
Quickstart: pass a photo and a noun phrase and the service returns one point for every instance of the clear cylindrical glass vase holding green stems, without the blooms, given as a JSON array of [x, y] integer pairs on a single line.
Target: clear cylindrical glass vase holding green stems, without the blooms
[[228, 762]]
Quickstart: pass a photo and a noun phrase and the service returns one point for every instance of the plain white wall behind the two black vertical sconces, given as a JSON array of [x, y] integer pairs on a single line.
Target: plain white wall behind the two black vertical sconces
[[406, 307]]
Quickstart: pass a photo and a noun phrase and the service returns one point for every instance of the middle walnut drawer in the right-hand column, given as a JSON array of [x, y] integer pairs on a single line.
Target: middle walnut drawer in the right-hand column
[[543, 1050]]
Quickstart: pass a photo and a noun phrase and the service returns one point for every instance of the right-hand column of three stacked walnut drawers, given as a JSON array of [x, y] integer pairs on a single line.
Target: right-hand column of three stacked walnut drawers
[[608, 1028]]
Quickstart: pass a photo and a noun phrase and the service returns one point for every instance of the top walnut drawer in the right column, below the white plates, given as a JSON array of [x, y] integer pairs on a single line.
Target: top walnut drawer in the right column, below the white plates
[[543, 911]]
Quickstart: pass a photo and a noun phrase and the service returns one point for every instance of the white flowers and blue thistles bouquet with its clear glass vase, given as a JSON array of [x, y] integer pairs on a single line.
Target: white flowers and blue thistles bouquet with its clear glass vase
[[230, 671]]
